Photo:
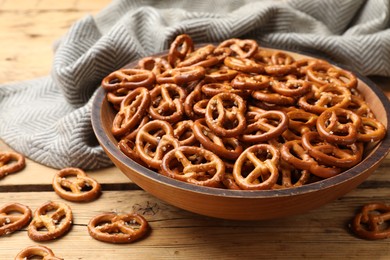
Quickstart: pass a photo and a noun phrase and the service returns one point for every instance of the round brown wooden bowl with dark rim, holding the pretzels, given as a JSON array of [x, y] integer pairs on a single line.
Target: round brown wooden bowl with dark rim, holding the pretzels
[[246, 205]]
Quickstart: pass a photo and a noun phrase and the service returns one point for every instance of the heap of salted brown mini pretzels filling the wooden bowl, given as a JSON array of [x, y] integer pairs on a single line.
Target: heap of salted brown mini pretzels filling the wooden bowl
[[241, 115]]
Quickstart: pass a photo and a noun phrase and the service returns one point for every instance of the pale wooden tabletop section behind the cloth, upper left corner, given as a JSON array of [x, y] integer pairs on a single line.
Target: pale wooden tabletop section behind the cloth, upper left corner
[[28, 38]]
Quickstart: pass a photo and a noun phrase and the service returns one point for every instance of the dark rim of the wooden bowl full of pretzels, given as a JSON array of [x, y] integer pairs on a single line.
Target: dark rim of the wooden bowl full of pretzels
[[377, 154]]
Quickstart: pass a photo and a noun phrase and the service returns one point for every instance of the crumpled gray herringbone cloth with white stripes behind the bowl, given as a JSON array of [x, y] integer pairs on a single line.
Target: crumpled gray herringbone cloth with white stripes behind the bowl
[[48, 119]]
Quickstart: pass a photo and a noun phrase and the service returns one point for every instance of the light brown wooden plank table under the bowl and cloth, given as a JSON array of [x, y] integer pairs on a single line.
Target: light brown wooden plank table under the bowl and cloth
[[28, 29]]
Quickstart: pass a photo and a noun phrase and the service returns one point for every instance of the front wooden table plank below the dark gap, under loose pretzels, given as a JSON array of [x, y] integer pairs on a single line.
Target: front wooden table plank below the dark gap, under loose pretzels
[[183, 235]]
